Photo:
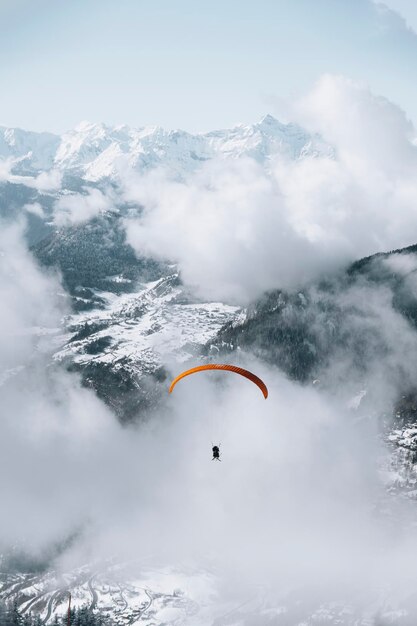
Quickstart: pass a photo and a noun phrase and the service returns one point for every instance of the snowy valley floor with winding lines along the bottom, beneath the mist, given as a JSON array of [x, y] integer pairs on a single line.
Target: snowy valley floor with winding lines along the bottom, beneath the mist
[[132, 594]]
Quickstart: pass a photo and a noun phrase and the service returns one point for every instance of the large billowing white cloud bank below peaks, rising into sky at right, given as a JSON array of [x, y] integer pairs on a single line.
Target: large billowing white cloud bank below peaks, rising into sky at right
[[236, 230]]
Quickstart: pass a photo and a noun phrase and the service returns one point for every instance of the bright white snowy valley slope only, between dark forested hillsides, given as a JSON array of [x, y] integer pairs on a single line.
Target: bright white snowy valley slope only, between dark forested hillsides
[[144, 330]]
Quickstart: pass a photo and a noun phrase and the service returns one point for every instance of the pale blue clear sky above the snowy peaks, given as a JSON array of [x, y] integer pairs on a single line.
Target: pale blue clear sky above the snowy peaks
[[193, 64]]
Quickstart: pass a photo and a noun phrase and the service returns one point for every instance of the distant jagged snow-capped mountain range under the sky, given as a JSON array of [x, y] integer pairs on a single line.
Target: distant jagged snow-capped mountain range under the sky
[[96, 151]]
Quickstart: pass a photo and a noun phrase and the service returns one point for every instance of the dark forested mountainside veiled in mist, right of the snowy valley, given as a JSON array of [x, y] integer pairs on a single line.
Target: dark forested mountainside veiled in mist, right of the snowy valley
[[304, 332]]
